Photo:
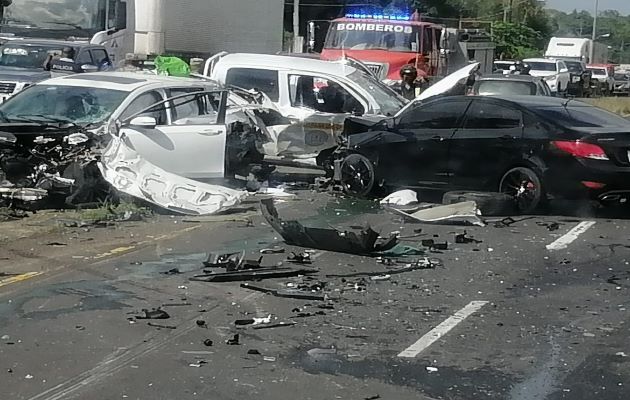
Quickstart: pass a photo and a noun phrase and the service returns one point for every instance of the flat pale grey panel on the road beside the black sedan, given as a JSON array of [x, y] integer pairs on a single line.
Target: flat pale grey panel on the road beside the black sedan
[[465, 213]]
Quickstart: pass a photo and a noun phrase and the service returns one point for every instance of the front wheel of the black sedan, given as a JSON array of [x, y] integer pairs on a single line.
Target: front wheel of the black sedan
[[357, 175]]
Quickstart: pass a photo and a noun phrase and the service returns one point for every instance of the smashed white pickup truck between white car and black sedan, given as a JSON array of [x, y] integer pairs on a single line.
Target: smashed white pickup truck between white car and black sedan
[[317, 96]]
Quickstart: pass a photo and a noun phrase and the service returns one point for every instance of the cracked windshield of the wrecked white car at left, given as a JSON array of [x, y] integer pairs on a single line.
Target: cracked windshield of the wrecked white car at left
[[79, 105]]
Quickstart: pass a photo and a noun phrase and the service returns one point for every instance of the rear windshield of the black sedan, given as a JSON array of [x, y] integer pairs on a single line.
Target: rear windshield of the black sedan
[[581, 116]]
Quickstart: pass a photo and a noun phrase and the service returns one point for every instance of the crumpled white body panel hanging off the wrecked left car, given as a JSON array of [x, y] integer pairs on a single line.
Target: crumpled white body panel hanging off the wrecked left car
[[129, 173]]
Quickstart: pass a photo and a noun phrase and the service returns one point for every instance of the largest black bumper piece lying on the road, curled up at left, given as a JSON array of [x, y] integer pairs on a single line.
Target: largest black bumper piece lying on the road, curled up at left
[[294, 233]]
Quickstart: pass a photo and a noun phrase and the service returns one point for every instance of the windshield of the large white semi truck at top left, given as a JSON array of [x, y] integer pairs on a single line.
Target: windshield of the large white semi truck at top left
[[84, 16]]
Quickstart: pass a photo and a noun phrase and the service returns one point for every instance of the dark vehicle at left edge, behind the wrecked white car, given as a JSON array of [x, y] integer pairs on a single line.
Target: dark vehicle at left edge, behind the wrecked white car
[[22, 62]]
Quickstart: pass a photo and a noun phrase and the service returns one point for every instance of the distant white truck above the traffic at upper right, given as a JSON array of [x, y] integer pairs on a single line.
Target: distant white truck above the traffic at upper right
[[577, 49]]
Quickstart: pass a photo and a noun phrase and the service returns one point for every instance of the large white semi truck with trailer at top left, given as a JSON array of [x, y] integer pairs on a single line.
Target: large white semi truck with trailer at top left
[[149, 28]]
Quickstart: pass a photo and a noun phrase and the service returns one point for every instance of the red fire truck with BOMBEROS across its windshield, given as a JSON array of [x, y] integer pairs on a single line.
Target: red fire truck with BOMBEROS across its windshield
[[385, 43]]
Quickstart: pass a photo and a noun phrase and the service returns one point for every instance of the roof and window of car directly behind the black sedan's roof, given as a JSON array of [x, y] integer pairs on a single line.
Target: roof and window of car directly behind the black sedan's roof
[[510, 85]]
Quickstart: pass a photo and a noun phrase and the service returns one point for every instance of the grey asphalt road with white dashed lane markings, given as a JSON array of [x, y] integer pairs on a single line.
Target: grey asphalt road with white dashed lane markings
[[515, 316]]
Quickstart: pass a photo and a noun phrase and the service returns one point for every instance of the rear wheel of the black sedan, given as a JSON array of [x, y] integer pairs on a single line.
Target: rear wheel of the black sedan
[[523, 185]]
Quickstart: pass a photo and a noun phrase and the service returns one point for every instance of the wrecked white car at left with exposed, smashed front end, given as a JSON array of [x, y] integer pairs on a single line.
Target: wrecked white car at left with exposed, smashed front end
[[151, 137]]
